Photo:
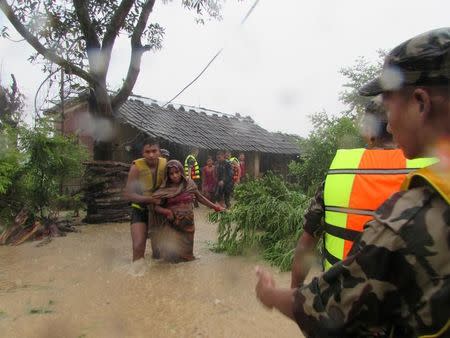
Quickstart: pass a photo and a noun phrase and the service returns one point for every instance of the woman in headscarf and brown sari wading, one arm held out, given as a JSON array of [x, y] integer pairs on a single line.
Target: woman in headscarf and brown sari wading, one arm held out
[[176, 238]]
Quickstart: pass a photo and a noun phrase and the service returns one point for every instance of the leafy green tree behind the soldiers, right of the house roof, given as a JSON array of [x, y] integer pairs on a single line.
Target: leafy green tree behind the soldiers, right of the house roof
[[332, 133]]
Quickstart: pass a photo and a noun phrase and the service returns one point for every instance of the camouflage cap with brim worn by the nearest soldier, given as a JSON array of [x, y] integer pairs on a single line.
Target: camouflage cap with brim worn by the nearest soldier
[[420, 61]]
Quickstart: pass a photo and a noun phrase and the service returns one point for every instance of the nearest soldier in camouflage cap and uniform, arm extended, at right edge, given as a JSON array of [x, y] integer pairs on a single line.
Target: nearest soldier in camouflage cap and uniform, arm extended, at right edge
[[398, 273]]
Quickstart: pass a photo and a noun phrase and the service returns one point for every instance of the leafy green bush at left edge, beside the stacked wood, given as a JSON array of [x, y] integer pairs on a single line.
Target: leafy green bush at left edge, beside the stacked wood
[[31, 175]]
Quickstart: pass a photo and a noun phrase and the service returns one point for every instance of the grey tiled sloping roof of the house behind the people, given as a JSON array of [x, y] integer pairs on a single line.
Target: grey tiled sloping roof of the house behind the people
[[203, 128]]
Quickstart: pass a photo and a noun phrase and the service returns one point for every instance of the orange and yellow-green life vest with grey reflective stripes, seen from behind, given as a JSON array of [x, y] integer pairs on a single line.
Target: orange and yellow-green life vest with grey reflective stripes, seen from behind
[[357, 183]]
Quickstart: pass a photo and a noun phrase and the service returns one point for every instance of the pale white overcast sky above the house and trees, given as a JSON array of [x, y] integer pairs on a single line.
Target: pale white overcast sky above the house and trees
[[279, 67]]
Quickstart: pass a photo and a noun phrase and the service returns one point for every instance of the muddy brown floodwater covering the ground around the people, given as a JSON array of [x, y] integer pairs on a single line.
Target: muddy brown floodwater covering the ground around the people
[[83, 285]]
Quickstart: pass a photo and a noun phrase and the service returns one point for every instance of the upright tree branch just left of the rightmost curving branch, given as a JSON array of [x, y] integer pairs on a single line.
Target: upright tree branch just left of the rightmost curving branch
[[116, 23]]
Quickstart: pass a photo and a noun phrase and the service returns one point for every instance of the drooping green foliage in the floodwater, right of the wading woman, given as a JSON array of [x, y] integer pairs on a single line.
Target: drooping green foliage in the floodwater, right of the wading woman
[[266, 218]]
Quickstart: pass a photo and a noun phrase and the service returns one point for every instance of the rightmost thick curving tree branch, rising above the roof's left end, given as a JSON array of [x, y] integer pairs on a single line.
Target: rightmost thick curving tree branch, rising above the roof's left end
[[136, 55]]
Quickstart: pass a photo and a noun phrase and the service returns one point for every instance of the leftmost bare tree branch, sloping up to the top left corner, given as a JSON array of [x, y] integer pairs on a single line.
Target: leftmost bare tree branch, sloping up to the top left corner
[[41, 49]]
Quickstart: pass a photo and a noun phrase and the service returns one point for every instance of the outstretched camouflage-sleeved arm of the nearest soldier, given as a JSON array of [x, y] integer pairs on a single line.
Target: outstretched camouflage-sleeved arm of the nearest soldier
[[355, 292]]
